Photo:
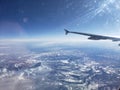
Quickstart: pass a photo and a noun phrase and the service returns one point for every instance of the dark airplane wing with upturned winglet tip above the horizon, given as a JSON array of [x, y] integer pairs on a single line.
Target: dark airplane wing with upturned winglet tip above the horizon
[[93, 36]]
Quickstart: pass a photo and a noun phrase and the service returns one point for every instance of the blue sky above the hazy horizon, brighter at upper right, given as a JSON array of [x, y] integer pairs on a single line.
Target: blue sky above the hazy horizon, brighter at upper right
[[48, 18]]
